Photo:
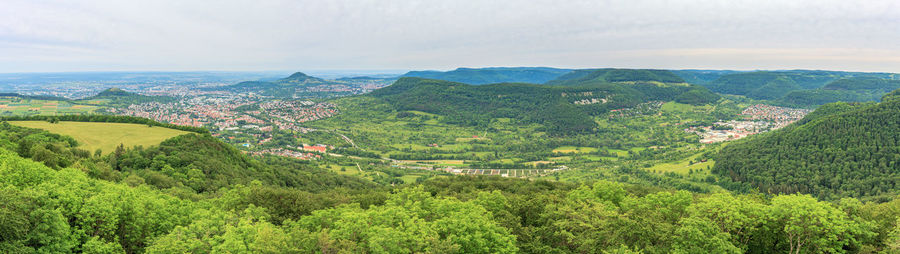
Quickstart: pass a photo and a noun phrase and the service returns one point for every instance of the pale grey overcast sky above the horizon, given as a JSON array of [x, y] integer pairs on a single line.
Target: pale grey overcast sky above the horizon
[[228, 35]]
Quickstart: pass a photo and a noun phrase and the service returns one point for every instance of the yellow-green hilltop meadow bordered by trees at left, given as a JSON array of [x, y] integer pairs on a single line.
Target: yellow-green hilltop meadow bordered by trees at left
[[106, 136]]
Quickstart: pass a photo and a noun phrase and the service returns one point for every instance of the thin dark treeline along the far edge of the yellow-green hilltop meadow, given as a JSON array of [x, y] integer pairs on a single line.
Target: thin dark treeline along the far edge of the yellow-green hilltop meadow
[[104, 119]]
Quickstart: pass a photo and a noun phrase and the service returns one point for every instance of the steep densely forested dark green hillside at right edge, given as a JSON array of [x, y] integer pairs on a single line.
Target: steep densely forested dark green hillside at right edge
[[840, 150]]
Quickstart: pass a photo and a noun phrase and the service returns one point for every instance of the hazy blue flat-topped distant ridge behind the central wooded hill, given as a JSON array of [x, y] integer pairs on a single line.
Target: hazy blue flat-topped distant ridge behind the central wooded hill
[[481, 76]]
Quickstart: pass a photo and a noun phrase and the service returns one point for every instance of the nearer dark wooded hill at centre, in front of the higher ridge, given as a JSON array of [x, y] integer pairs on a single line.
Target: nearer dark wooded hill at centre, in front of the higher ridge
[[476, 105]]
